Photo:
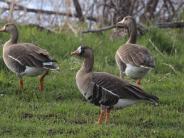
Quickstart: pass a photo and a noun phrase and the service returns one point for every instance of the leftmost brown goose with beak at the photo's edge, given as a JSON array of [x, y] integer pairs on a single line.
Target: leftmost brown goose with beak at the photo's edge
[[26, 58]]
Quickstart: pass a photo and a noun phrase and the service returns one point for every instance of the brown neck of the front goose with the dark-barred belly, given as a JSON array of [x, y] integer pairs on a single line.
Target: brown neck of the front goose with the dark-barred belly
[[88, 63]]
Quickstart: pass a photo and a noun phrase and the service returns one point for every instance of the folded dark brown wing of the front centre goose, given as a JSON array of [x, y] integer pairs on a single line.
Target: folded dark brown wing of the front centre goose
[[109, 89]]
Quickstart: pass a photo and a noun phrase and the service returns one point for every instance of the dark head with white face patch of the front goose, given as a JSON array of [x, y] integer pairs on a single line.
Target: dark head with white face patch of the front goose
[[82, 51]]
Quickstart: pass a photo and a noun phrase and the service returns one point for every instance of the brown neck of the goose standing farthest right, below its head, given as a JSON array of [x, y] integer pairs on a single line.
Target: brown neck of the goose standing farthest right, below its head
[[132, 32]]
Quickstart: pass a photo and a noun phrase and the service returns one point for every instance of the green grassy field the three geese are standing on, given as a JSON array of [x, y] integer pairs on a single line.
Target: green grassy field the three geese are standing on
[[61, 111]]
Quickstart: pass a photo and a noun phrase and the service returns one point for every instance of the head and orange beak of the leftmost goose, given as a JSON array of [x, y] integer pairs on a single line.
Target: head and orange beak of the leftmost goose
[[10, 28]]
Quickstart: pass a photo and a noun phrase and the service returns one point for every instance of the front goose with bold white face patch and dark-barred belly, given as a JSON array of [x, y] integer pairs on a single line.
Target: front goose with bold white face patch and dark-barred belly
[[104, 89]]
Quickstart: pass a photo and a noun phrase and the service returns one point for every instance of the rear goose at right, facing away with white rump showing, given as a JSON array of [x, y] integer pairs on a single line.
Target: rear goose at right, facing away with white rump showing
[[132, 59]]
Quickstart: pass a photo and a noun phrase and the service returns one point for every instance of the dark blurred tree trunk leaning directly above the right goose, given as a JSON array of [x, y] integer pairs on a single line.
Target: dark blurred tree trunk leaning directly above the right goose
[[149, 11]]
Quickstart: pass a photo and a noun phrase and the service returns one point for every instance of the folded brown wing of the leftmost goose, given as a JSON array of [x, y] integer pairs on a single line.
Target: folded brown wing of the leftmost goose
[[30, 55]]
